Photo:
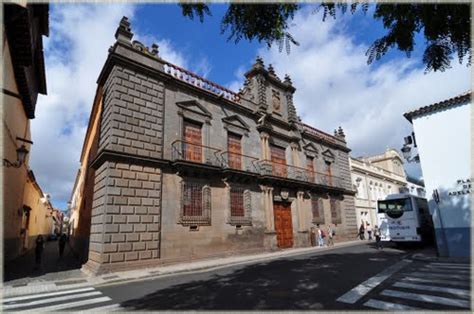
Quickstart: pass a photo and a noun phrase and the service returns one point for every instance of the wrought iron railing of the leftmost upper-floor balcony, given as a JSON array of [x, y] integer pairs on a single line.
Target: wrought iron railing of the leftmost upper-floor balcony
[[182, 150]]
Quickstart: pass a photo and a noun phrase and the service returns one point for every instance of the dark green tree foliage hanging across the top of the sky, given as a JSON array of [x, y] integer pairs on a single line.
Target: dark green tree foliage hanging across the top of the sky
[[445, 27]]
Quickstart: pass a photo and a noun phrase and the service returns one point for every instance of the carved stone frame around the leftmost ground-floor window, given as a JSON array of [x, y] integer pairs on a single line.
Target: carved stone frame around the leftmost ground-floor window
[[205, 218]]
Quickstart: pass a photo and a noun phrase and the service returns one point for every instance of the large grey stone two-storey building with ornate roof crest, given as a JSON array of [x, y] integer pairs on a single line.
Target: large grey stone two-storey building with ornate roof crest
[[175, 167]]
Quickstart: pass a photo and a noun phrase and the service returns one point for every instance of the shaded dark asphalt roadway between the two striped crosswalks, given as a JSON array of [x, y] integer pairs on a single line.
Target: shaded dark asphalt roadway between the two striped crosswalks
[[305, 282]]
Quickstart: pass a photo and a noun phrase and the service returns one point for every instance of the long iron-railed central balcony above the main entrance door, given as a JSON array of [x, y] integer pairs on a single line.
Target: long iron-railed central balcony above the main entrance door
[[274, 169]]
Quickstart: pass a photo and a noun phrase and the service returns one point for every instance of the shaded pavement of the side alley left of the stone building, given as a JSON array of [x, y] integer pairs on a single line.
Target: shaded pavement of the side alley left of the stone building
[[23, 270]]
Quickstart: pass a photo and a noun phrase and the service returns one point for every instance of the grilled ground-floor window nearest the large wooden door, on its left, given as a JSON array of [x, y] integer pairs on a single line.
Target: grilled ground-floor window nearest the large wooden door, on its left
[[240, 206]]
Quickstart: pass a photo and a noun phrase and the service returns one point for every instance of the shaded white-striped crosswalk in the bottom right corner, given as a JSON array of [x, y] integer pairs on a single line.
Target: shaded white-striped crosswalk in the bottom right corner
[[430, 286]]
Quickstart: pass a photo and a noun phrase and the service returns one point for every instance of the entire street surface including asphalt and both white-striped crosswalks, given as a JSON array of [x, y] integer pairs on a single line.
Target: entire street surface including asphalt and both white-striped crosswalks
[[357, 277]]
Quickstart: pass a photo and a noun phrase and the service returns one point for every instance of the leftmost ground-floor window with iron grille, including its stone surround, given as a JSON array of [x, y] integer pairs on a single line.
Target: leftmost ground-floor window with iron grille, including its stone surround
[[196, 203]]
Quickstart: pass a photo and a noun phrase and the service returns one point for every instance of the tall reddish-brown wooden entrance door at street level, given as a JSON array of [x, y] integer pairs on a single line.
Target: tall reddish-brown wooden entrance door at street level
[[283, 224]]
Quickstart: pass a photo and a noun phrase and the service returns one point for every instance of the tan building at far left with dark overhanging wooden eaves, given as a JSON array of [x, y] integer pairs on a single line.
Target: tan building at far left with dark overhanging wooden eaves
[[24, 77]]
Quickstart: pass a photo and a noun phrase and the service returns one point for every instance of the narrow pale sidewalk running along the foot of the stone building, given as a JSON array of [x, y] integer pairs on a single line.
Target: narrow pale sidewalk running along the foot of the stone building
[[81, 279]]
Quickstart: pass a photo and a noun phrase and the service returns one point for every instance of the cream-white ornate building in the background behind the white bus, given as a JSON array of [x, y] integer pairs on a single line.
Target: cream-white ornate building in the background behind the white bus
[[374, 178]]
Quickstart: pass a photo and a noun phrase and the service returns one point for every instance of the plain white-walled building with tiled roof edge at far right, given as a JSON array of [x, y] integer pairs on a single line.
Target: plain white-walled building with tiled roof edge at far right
[[443, 134]]
